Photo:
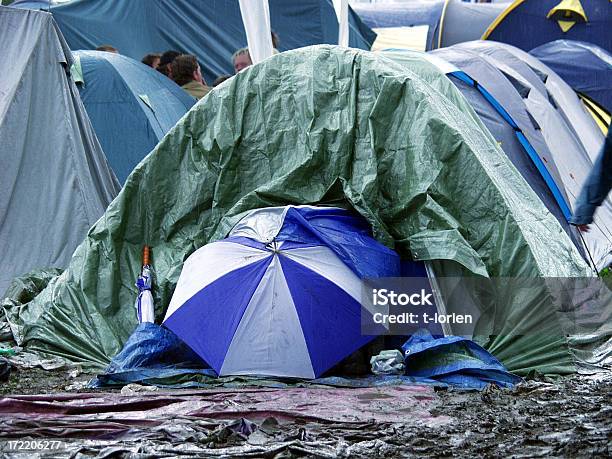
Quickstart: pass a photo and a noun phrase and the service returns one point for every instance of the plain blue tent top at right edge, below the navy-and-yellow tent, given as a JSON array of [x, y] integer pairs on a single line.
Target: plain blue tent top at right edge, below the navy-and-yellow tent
[[587, 68]]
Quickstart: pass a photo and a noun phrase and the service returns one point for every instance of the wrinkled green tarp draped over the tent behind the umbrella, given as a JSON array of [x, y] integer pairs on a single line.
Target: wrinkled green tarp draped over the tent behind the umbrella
[[318, 125]]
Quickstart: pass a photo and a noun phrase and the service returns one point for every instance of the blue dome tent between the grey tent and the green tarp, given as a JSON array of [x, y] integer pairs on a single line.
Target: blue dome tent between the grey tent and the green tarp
[[131, 106]]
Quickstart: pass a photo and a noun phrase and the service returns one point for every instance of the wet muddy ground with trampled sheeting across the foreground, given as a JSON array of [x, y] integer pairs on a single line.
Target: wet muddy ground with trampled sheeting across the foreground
[[569, 417]]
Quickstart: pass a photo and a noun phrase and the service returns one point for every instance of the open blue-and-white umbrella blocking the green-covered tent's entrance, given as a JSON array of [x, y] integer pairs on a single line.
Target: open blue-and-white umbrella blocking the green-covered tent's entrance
[[281, 296]]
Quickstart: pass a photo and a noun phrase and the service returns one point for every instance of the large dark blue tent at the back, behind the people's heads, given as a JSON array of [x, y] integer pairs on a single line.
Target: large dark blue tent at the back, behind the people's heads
[[212, 31]]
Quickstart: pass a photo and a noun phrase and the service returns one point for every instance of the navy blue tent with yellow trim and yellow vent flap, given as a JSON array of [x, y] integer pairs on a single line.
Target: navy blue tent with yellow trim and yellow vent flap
[[530, 23]]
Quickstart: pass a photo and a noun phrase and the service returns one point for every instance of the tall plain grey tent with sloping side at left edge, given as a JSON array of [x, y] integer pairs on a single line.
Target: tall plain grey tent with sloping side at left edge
[[54, 181]]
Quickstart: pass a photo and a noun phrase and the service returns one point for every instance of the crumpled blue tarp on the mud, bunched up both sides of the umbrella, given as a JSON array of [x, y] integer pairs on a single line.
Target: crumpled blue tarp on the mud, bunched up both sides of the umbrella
[[156, 356]]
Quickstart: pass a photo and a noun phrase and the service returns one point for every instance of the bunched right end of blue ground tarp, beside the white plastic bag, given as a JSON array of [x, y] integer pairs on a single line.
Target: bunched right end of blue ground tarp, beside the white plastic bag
[[455, 361]]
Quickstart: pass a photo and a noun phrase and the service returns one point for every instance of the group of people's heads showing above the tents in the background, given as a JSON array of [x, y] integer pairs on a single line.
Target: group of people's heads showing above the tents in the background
[[185, 71]]
